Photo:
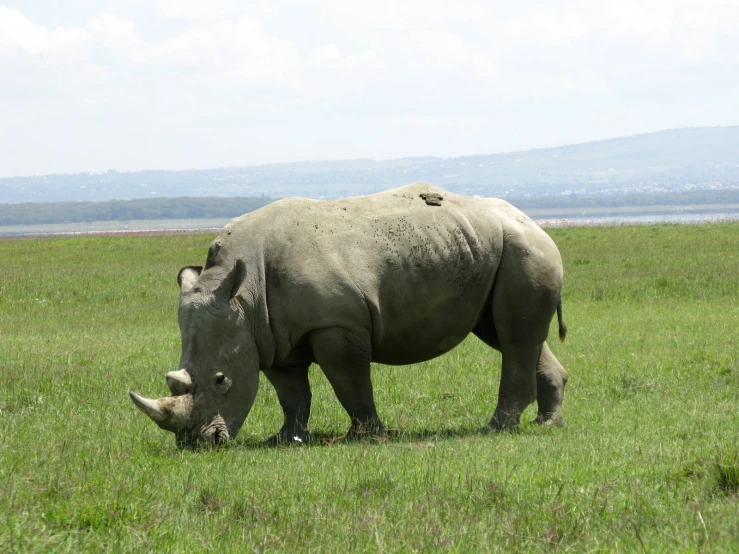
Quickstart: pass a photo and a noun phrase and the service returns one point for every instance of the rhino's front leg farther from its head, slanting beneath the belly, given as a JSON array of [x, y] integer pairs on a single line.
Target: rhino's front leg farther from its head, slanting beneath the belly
[[345, 357]]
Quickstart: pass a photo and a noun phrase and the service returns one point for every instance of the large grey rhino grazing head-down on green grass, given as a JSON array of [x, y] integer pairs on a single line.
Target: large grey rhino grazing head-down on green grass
[[397, 277]]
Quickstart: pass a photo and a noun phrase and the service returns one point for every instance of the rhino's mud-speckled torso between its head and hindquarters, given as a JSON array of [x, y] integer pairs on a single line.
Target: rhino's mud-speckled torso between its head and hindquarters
[[414, 275]]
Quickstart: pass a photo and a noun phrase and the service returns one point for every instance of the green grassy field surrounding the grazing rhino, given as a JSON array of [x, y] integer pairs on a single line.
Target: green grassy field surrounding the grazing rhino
[[649, 460]]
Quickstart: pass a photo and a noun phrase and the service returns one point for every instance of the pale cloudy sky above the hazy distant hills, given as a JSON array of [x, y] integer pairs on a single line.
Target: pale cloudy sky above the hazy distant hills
[[92, 85]]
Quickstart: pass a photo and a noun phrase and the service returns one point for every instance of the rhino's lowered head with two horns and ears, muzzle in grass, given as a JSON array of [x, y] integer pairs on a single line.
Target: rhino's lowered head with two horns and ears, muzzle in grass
[[218, 376]]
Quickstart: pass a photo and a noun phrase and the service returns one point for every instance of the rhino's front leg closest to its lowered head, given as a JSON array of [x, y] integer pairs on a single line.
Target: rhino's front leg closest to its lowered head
[[293, 392]]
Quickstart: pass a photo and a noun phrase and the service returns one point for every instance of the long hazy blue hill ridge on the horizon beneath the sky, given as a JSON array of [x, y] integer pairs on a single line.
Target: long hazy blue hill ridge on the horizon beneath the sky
[[667, 161]]
